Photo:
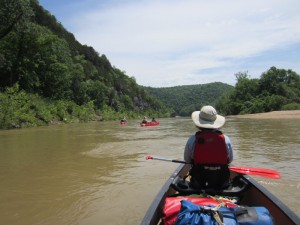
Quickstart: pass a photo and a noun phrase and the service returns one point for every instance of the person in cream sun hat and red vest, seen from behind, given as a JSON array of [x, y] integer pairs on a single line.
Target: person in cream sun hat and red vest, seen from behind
[[208, 150]]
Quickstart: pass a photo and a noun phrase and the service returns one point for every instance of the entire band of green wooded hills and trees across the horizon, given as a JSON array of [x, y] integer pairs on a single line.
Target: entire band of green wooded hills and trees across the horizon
[[47, 76]]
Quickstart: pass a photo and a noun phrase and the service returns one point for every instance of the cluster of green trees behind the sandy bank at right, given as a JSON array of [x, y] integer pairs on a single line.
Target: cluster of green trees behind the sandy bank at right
[[276, 89]]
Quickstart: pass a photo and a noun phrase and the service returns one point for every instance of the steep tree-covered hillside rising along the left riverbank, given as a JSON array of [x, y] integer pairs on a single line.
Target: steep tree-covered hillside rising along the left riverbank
[[46, 75]]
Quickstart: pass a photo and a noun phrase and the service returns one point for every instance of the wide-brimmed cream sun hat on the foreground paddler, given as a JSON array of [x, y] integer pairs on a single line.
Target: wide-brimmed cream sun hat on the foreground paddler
[[208, 118]]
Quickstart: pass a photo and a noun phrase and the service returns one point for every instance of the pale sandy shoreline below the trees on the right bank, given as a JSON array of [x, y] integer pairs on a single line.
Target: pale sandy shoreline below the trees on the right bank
[[289, 114]]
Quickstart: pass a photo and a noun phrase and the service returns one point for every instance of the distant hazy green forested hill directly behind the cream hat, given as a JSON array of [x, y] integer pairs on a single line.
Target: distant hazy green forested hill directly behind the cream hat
[[188, 98]]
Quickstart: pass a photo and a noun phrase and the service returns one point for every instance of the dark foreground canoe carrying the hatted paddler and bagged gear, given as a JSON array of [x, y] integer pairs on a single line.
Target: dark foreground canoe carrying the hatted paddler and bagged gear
[[248, 191]]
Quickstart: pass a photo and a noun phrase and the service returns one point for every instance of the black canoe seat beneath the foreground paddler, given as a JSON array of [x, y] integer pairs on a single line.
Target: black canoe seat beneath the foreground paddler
[[235, 188]]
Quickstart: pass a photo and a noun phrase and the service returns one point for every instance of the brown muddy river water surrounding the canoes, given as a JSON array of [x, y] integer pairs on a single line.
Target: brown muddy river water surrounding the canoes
[[96, 173]]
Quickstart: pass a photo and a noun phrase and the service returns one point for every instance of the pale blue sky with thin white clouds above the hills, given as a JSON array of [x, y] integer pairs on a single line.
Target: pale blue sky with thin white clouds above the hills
[[166, 43]]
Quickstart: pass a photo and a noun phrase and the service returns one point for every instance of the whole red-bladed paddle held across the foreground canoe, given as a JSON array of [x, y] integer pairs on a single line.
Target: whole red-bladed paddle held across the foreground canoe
[[239, 169]]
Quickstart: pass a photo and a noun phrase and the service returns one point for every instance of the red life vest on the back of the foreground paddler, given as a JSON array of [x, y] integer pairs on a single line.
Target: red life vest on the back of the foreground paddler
[[210, 148]]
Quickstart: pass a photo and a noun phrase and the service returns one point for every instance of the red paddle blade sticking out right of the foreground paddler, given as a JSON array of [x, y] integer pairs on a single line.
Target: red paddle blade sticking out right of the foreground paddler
[[256, 171]]
